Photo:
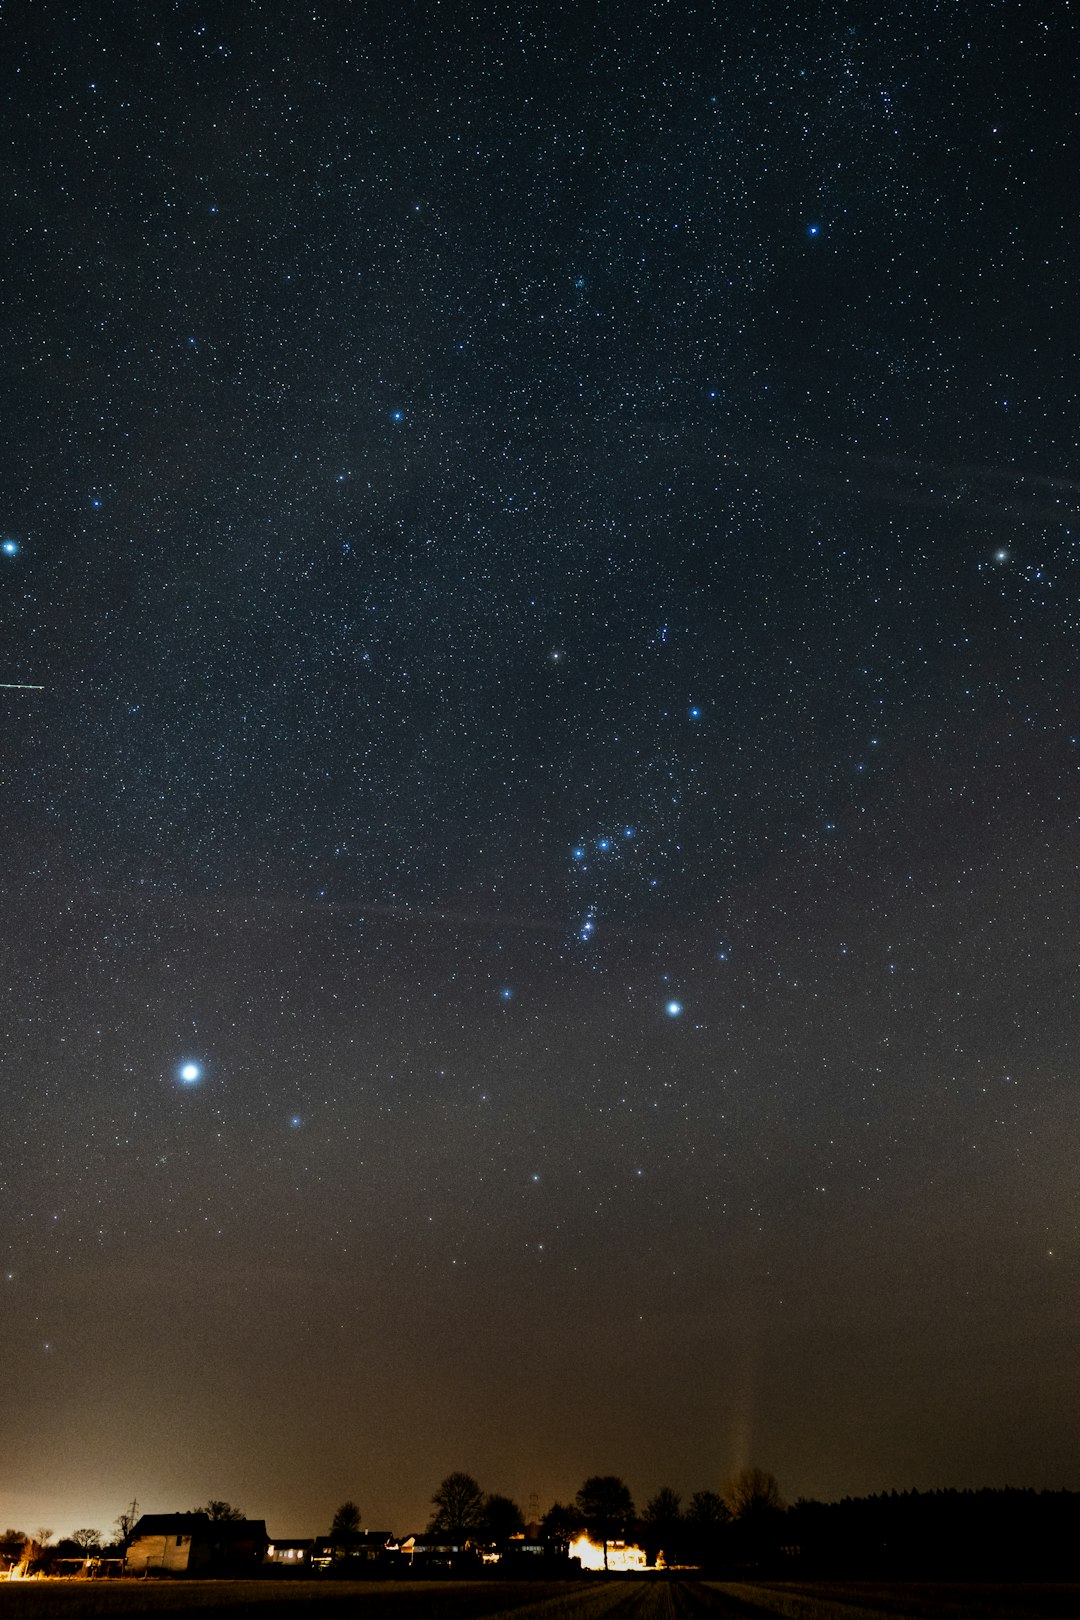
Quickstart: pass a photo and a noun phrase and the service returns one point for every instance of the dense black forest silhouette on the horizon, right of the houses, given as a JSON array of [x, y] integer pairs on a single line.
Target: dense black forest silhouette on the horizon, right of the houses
[[987, 1535]]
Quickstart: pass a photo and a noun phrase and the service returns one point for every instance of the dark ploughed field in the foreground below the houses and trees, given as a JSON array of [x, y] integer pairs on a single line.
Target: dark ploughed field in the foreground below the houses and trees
[[640, 1598]]
